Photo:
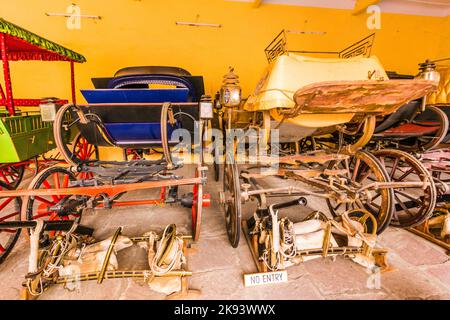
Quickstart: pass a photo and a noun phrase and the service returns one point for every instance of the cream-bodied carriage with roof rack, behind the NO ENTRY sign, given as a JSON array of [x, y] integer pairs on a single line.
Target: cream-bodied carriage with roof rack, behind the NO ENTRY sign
[[298, 98]]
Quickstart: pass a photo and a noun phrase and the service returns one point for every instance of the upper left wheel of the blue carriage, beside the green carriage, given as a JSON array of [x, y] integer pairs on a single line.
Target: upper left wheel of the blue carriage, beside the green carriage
[[77, 151]]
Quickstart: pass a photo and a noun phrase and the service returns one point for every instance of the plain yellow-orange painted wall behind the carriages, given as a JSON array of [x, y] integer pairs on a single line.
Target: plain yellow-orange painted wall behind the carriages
[[143, 32]]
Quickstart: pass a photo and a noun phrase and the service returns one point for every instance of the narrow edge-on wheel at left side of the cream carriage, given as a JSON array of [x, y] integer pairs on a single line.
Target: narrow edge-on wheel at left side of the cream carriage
[[232, 201]]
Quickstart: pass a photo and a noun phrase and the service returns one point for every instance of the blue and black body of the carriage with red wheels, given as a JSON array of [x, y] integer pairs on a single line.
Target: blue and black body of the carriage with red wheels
[[126, 112]]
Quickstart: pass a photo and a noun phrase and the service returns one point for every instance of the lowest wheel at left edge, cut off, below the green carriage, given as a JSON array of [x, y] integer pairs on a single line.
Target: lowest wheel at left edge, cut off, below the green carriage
[[9, 211]]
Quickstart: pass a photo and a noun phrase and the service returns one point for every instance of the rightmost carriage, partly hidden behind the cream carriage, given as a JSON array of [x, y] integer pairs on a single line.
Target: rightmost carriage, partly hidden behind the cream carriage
[[413, 140]]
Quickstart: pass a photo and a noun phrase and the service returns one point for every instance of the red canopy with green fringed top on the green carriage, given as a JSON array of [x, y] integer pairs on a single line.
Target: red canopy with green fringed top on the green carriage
[[22, 44]]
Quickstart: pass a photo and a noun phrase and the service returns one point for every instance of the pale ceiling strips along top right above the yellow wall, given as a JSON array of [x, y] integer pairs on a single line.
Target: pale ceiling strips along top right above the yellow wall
[[437, 8]]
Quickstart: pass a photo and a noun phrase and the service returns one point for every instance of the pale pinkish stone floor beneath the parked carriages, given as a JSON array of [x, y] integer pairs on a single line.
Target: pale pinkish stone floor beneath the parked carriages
[[419, 269]]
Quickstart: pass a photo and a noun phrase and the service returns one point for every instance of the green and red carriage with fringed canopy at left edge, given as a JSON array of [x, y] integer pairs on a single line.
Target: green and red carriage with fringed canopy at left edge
[[26, 133]]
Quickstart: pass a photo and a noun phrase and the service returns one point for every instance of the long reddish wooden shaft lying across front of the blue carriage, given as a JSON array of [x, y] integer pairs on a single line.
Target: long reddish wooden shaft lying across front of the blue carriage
[[110, 190]]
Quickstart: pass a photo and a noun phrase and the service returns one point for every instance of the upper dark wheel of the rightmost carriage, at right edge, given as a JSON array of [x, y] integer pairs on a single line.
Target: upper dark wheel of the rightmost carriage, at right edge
[[433, 117]]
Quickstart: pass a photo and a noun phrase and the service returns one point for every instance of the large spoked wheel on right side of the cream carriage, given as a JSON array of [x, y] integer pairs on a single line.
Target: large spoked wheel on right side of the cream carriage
[[363, 169]]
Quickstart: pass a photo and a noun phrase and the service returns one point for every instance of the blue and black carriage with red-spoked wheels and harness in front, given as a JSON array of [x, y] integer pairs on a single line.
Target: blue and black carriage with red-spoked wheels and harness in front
[[140, 109]]
